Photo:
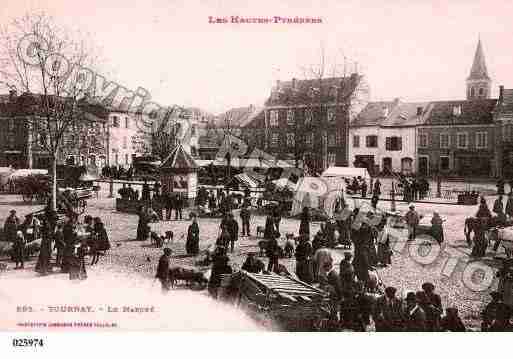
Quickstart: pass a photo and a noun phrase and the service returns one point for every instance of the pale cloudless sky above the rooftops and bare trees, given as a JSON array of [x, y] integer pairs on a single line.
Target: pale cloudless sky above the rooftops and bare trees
[[416, 50]]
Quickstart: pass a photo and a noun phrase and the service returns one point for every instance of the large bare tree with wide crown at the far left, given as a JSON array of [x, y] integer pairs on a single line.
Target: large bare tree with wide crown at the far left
[[46, 62]]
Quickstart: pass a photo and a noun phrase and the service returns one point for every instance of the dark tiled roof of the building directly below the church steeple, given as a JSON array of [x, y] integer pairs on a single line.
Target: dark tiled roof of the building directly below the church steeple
[[472, 112]]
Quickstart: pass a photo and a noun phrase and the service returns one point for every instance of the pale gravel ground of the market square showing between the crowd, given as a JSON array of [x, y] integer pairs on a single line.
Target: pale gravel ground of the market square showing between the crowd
[[462, 283]]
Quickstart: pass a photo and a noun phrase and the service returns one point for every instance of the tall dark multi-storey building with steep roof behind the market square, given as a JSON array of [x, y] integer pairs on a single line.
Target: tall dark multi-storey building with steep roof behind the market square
[[307, 121]]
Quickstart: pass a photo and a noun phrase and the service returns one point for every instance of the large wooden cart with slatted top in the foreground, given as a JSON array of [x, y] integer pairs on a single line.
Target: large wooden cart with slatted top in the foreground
[[281, 303]]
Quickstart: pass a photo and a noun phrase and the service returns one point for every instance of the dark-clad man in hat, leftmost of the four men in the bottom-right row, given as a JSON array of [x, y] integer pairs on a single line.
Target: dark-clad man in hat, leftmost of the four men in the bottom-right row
[[389, 314]]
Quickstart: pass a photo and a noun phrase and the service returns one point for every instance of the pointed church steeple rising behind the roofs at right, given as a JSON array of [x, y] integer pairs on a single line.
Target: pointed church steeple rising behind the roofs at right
[[478, 81]]
